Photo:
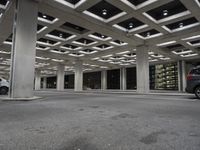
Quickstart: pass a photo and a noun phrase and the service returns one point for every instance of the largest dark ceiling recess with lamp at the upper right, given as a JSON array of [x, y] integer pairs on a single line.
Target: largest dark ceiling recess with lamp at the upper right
[[172, 8]]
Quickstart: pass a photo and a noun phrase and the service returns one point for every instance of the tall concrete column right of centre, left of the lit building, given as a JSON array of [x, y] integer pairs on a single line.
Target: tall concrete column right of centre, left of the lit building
[[142, 65]]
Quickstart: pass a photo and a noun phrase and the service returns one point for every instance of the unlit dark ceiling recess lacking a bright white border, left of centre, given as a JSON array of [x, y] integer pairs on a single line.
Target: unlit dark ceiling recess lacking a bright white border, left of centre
[[74, 28]]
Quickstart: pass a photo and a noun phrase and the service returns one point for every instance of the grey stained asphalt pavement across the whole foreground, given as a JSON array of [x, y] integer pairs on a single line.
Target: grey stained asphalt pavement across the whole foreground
[[100, 121]]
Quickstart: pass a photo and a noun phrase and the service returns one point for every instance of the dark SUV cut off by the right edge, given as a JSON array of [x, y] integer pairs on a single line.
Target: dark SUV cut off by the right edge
[[193, 81]]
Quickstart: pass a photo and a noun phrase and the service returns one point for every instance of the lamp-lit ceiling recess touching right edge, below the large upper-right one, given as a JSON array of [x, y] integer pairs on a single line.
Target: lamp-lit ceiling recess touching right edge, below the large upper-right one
[[180, 25]]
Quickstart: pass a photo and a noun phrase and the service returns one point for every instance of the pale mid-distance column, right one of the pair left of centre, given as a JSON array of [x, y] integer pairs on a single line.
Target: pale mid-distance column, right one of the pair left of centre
[[78, 76]]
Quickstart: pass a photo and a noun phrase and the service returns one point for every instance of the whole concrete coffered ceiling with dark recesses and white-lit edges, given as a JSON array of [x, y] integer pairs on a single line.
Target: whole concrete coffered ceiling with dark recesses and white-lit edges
[[105, 33]]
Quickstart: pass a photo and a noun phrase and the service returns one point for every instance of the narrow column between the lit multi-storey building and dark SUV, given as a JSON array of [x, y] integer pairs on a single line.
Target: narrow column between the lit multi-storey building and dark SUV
[[181, 76]]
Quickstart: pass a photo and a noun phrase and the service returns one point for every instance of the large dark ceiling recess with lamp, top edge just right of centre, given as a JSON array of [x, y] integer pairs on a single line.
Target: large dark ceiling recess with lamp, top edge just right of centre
[[104, 11]]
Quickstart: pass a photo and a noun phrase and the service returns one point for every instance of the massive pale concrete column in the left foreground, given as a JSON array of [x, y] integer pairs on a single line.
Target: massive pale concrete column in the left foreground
[[23, 49]]
